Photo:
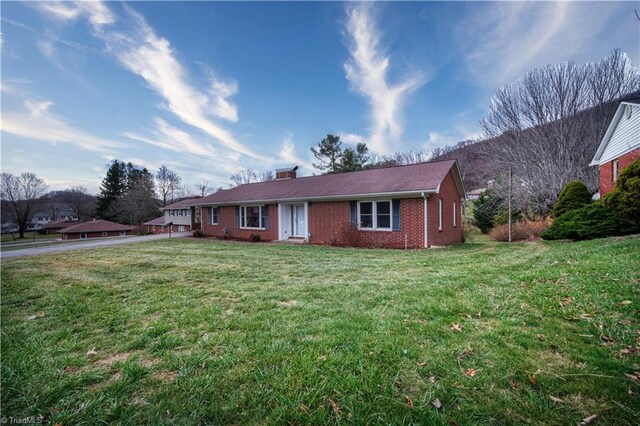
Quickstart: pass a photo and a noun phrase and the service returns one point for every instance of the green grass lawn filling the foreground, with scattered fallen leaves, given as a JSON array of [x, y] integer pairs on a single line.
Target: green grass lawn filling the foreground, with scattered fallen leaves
[[203, 332]]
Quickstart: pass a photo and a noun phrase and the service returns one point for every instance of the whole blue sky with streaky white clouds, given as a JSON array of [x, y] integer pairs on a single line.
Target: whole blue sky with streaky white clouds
[[207, 88]]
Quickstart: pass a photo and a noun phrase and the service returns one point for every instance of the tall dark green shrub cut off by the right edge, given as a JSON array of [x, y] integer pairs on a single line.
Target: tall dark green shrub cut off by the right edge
[[625, 198]]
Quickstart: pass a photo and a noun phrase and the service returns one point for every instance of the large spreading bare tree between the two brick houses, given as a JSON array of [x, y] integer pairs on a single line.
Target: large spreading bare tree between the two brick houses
[[548, 127]]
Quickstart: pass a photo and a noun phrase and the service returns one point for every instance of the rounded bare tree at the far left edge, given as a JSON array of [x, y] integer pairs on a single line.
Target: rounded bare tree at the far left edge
[[23, 194]]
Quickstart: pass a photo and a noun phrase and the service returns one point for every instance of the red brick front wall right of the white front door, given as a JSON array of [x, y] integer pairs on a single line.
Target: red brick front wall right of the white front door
[[329, 224]]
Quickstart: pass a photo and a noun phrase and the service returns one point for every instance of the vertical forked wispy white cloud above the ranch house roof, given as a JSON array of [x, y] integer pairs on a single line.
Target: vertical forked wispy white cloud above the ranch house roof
[[367, 72]]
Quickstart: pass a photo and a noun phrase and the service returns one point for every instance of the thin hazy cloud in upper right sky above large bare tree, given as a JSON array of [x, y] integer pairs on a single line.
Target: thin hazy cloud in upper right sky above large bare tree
[[504, 40]]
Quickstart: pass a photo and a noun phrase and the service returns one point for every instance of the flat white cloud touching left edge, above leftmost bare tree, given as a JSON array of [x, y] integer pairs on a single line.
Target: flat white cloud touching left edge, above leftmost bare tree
[[39, 123]]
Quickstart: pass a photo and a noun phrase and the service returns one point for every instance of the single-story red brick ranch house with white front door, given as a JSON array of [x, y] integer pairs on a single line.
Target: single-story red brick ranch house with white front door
[[412, 206]]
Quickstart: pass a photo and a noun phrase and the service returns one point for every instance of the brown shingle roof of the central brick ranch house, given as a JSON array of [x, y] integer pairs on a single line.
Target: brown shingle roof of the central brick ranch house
[[414, 178]]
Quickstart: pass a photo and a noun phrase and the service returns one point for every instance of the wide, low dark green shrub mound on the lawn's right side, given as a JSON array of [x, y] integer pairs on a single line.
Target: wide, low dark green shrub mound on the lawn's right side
[[591, 221]]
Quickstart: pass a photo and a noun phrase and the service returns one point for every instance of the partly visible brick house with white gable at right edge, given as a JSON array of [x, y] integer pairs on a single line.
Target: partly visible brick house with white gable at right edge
[[620, 145]]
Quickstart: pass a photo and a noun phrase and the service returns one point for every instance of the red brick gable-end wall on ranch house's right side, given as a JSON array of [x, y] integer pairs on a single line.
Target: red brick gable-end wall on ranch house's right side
[[449, 234]]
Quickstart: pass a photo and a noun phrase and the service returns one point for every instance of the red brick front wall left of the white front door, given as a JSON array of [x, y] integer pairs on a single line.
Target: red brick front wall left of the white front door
[[227, 220]]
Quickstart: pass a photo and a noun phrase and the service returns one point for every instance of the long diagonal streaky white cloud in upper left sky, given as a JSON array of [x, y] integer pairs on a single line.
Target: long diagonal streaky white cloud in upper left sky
[[139, 49]]
